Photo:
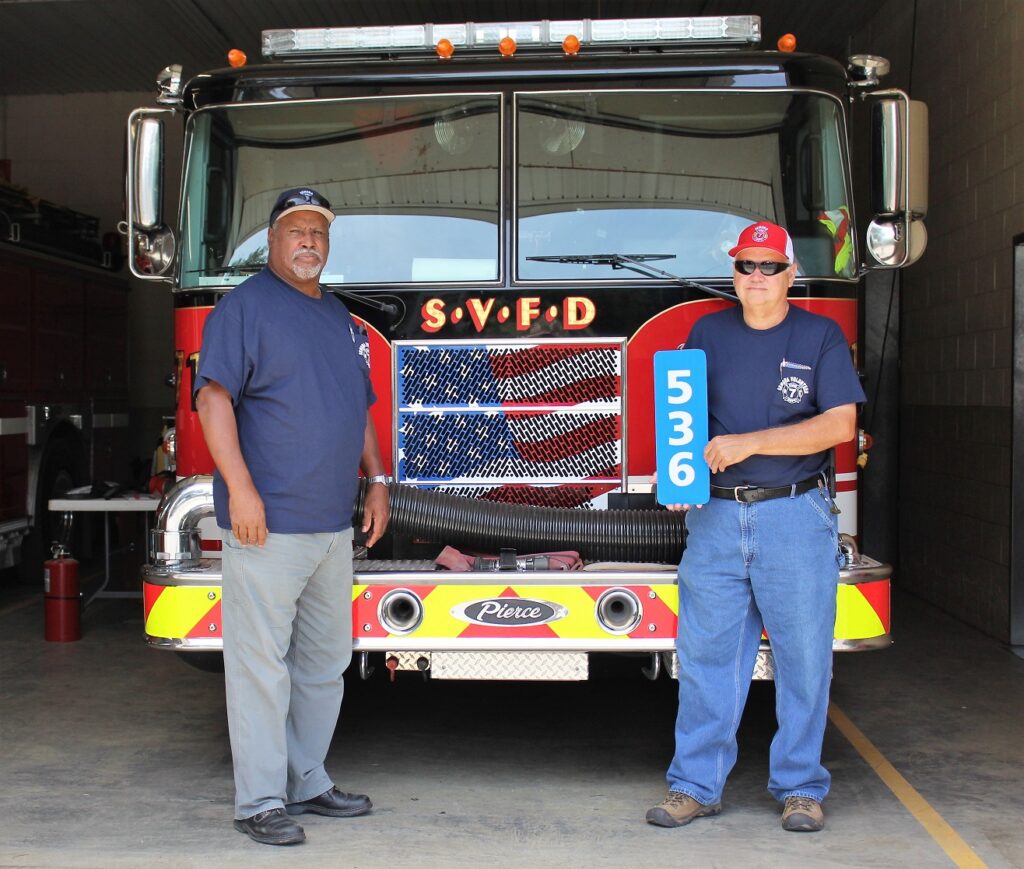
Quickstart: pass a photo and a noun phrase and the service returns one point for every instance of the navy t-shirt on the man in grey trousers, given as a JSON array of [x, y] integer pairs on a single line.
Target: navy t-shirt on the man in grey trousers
[[297, 371]]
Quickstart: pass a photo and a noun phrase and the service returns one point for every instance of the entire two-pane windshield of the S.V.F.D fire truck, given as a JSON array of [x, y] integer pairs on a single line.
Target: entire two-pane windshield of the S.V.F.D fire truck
[[417, 183]]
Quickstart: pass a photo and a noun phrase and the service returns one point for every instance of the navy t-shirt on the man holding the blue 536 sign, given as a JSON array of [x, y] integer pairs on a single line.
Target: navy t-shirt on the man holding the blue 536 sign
[[762, 379]]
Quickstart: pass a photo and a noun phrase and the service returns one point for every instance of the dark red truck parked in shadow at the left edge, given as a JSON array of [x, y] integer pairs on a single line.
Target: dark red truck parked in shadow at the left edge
[[64, 367]]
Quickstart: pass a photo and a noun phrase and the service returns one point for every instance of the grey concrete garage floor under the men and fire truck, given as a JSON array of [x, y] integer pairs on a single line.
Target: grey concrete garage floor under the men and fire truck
[[116, 756]]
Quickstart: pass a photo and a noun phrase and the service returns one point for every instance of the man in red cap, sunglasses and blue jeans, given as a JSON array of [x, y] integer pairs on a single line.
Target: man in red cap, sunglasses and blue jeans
[[763, 553]]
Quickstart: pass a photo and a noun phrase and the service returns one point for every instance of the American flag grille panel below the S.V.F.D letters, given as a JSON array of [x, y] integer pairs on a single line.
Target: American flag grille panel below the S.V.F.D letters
[[489, 417]]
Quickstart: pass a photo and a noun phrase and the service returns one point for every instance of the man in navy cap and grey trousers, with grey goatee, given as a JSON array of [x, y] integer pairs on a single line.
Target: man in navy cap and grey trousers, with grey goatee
[[283, 393]]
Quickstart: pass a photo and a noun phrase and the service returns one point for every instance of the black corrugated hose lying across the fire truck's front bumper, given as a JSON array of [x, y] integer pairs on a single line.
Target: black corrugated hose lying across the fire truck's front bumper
[[652, 536]]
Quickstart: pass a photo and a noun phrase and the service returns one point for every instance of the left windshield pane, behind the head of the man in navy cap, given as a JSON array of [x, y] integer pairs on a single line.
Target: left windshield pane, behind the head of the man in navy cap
[[414, 182]]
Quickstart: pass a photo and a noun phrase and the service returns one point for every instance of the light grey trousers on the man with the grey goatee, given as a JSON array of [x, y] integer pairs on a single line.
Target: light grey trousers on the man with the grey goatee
[[287, 616]]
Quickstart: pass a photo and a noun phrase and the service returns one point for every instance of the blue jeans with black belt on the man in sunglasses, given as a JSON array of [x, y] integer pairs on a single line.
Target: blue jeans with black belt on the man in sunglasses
[[773, 564]]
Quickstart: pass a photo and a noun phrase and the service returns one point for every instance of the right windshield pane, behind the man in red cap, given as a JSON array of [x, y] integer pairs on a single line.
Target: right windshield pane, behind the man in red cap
[[675, 172]]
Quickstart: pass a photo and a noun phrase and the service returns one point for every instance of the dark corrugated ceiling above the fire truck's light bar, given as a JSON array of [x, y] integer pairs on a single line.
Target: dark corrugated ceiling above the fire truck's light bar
[[71, 47]]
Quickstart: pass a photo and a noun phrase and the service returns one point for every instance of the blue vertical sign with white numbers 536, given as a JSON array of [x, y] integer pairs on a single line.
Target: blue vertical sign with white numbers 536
[[681, 426]]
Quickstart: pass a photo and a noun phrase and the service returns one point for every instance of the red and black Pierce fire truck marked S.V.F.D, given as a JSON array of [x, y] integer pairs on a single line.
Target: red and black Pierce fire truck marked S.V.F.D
[[527, 211]]
